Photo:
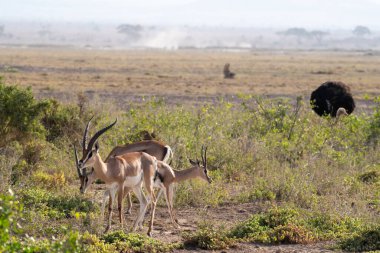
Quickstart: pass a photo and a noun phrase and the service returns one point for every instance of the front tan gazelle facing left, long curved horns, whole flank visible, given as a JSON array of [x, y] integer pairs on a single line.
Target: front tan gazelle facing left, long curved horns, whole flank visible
[[128, 170]]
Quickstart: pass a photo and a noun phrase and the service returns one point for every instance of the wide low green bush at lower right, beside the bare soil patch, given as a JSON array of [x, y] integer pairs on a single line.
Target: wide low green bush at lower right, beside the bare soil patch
[[285, 225]]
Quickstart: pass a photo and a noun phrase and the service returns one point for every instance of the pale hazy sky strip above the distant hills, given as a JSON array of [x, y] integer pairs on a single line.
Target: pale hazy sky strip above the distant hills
[[262, 13]]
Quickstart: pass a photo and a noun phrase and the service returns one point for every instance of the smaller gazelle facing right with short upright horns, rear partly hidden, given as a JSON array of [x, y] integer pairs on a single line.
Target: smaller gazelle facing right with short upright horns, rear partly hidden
[[167, 177]]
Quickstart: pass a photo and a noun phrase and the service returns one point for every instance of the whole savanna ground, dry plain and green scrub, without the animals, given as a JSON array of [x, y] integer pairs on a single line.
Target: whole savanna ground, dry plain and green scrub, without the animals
[[281, 174]]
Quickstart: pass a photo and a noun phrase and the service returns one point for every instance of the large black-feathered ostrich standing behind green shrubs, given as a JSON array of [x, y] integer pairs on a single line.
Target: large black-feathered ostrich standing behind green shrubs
[[332, 98]]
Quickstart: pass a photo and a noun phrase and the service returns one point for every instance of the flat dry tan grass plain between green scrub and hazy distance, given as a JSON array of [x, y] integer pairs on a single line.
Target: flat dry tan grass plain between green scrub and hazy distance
[[187, 73]]
